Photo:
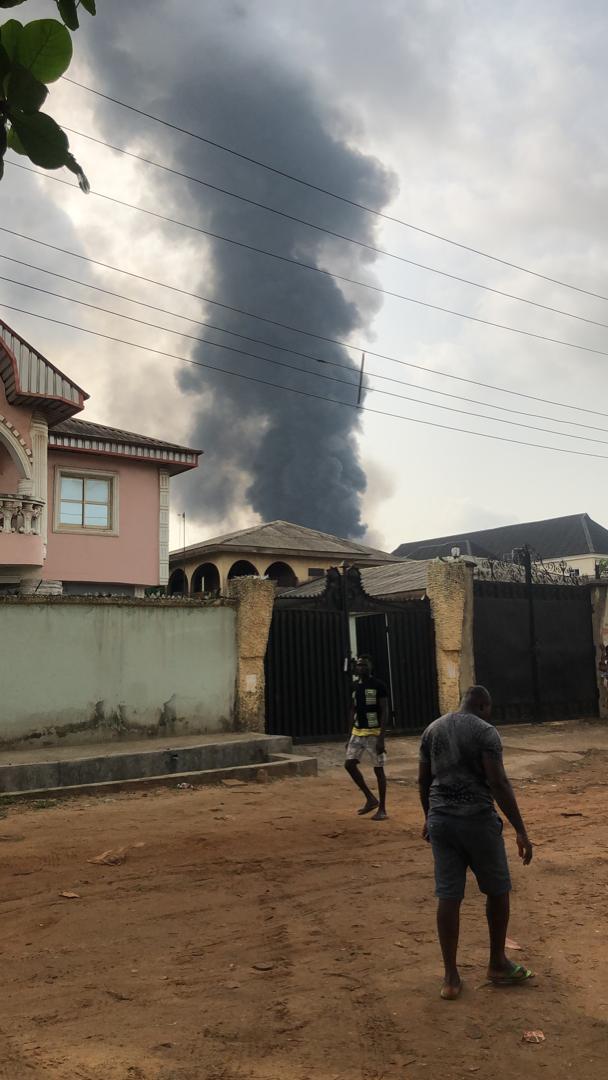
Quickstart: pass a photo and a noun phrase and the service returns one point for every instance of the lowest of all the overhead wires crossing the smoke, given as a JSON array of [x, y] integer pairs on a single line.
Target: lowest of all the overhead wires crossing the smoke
[[304, 394]]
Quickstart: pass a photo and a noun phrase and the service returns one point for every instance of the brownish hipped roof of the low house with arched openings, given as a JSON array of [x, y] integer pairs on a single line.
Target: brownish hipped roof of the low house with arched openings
[[285, 538]]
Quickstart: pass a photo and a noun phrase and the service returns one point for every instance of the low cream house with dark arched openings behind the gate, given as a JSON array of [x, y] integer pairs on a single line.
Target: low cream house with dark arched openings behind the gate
[[289, 555]]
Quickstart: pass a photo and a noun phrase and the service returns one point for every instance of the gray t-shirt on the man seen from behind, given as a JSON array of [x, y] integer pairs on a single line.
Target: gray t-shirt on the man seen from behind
[[453, 746]]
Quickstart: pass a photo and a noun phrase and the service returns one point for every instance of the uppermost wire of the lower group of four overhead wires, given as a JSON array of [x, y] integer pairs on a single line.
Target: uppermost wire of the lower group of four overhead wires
[[296, 330]]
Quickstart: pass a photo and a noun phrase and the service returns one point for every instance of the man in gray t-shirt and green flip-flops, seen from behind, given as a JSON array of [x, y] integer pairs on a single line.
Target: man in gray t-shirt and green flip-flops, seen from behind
[[461, 776]]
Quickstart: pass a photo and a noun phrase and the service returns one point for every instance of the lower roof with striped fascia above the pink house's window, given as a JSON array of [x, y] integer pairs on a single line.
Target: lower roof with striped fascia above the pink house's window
[[85, 437]]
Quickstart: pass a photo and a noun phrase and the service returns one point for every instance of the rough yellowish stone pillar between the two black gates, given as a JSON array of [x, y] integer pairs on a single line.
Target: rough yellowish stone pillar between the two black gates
[[451, 592]]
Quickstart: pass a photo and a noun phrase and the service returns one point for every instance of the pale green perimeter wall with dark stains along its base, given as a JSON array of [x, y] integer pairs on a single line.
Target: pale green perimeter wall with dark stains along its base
[[90, 670]]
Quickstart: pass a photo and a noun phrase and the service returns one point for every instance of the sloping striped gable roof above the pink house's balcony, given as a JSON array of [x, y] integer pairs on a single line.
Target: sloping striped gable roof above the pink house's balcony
[[32, 380]]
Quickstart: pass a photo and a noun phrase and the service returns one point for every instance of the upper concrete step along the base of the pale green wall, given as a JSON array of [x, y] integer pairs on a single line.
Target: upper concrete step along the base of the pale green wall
[[113, 767]]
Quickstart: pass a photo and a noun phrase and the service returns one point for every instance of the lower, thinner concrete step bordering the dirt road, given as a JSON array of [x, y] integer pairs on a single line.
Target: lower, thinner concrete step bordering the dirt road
[[279, 767]]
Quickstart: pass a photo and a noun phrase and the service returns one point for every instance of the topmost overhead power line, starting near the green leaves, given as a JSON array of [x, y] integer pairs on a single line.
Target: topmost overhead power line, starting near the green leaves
[[335, 195]]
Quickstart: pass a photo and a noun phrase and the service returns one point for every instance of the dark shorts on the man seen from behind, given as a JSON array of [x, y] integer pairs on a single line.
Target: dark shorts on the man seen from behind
[[474, 841]]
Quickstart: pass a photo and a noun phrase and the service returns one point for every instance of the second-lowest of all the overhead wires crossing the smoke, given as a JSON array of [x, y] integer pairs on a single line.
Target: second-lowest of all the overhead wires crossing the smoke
[[304, 371]]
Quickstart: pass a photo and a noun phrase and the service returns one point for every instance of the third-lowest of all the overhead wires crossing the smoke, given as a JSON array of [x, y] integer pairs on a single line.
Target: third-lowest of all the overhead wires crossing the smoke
[[273, 345]]
